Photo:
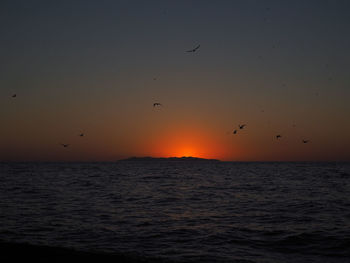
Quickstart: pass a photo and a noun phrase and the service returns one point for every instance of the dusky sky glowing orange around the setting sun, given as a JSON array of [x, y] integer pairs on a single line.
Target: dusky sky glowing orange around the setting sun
[[97, 67]]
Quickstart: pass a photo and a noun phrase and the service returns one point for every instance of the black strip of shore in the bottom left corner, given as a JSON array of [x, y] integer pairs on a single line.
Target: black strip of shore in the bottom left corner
[[22, 252]]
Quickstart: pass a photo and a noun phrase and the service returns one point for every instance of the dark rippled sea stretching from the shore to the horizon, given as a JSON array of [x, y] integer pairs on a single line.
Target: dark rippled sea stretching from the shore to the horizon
[[182, 211]]
